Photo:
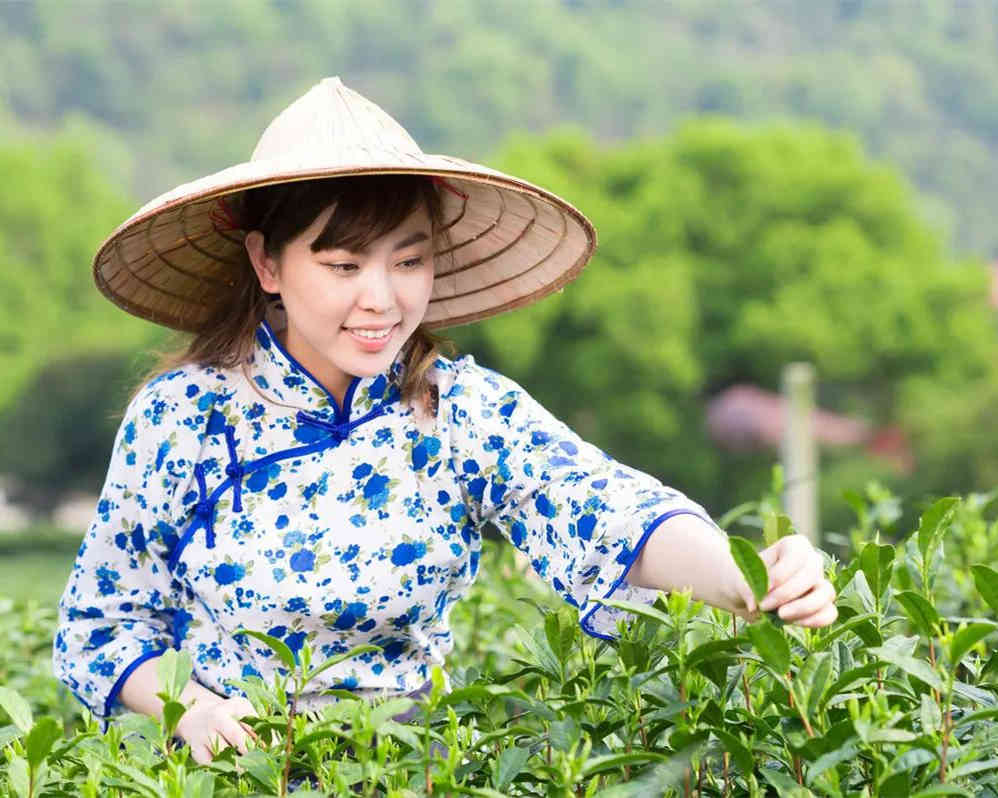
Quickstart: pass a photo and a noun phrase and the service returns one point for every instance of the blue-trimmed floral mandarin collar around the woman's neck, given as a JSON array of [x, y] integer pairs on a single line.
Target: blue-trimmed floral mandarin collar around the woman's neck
[[282, 378]]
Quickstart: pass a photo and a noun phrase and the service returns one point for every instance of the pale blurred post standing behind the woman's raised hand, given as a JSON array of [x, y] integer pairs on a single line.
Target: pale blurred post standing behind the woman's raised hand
[[799, 450]]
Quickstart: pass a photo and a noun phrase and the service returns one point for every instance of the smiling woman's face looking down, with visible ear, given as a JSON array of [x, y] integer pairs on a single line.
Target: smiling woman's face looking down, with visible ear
[[349, 313]]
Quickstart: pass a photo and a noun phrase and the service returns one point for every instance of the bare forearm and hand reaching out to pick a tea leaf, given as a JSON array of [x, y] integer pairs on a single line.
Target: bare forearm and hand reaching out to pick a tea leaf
[[686, 553]]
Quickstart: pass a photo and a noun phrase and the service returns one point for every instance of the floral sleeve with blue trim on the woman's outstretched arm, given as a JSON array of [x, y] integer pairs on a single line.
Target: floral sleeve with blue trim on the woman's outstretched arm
[[581, 517]]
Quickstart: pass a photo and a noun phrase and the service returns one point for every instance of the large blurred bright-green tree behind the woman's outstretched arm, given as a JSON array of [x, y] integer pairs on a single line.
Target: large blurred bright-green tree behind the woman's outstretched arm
[[726, 252]]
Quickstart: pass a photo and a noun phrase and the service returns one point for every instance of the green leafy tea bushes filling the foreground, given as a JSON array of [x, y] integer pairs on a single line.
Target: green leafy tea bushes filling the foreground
[[898, 698]]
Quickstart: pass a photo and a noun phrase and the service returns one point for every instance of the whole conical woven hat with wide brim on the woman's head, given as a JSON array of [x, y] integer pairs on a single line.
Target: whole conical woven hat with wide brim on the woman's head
[[177, 259]]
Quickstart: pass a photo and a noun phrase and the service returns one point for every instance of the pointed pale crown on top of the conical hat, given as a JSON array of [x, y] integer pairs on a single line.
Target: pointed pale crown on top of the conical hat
[[333, 123]]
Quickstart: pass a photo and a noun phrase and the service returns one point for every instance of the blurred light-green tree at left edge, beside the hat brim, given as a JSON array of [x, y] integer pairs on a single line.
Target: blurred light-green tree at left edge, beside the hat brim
[[54, 210]]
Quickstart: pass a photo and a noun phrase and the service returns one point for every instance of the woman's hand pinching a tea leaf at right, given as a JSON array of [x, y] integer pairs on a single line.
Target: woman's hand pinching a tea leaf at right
[[798, 590]]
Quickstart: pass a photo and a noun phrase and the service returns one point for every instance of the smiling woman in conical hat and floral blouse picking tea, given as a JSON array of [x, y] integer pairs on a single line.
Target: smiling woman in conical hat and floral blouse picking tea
[[312, 467]]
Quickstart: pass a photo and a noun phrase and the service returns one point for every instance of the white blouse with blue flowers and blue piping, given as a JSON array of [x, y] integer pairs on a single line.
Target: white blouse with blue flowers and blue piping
[[248, 498]]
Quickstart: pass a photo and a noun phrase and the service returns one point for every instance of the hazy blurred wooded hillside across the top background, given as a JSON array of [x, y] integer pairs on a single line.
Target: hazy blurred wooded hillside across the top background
[[186, 86]]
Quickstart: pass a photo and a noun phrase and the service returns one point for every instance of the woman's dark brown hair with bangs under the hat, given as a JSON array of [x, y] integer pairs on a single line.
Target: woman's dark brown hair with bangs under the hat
[[367, 207]]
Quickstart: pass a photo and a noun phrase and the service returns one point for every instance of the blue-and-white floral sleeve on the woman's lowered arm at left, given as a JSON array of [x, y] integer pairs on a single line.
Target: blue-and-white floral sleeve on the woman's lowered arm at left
[[115, 611]]
